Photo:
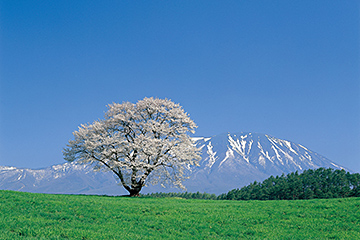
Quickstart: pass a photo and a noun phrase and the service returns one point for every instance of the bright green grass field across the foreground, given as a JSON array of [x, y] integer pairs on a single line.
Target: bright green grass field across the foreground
[[46, 216]]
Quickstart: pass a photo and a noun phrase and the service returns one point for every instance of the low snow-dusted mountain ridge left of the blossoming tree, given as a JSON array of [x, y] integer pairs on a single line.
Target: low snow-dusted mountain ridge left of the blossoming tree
[[69, 178]]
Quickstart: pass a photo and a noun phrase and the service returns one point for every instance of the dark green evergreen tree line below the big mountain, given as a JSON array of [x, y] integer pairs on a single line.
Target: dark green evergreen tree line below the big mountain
[[319, 183]]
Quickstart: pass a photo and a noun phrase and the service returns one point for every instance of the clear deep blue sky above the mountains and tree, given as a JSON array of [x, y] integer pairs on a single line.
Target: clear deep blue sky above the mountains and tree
[[290, 69]]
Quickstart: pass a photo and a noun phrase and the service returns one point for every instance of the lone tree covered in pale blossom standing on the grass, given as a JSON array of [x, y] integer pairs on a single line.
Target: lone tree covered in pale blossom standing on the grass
[[140, 143]]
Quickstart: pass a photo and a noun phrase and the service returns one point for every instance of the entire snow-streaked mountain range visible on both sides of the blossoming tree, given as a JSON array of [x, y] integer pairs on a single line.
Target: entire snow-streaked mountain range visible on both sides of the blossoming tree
[[228, 161]]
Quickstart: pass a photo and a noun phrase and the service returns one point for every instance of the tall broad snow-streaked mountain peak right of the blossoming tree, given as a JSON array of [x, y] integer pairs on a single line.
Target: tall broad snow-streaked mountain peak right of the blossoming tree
[[234, 160]]
